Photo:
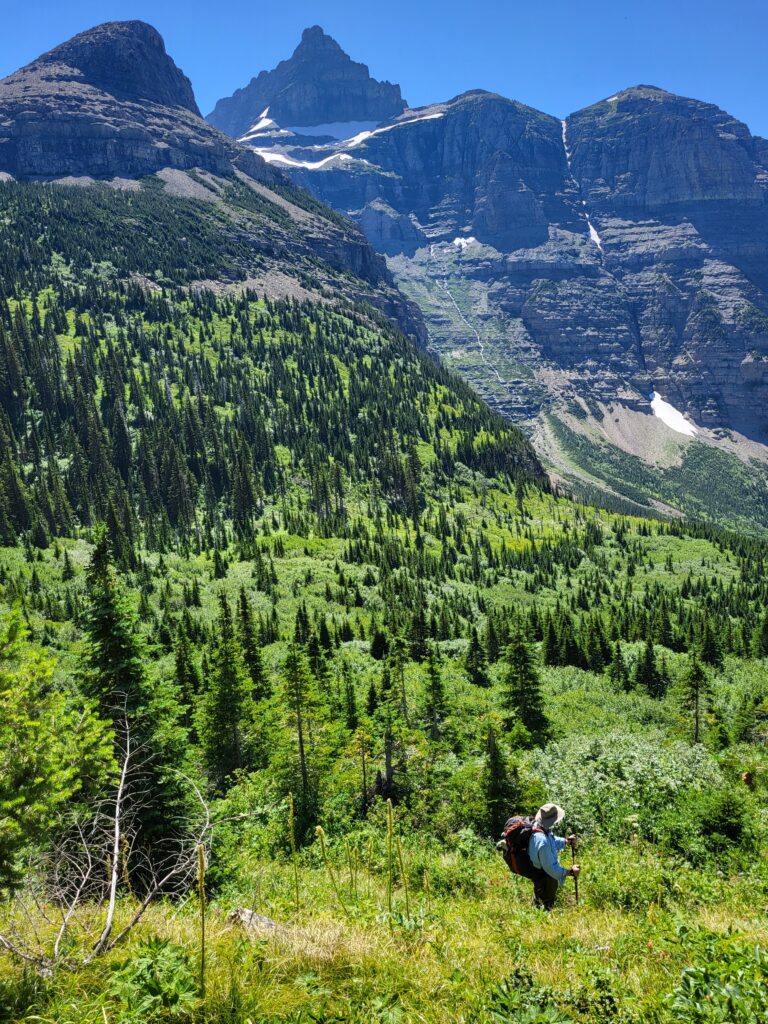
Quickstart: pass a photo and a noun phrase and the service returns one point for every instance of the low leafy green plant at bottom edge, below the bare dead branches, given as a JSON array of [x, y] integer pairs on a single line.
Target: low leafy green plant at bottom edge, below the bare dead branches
[[157, 984]]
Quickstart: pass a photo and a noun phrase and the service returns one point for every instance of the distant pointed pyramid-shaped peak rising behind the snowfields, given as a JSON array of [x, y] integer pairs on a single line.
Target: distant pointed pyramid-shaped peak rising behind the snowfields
[[319, 86]]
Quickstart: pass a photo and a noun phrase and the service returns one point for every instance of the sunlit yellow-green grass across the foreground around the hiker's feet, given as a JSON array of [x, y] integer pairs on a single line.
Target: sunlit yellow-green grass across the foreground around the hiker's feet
[[472, 930]]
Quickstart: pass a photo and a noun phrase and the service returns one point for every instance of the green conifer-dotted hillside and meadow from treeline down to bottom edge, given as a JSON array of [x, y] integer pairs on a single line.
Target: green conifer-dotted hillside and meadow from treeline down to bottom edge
[[265, 558]]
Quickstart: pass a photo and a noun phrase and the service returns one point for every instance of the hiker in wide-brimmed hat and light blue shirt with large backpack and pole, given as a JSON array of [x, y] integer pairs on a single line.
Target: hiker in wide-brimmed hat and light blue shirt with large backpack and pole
[[531, 850]]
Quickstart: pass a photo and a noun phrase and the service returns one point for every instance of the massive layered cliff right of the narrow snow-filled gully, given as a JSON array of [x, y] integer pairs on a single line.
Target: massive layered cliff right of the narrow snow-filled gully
[[679, 193]]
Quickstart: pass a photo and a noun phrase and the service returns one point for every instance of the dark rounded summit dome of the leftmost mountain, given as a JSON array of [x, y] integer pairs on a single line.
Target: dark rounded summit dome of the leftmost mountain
[[126, 60]]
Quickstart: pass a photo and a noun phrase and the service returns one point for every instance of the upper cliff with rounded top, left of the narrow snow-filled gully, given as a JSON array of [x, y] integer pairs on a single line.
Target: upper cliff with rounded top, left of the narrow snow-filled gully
[[481, 165]]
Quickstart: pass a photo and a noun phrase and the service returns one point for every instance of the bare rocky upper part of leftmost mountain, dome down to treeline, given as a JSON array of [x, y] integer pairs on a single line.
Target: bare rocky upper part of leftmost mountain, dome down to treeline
[[109, 103]]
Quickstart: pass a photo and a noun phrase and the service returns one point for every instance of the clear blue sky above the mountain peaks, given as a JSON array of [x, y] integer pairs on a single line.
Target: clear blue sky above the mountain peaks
[[558, 56]]
